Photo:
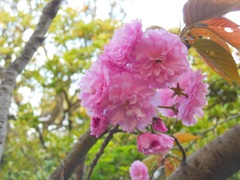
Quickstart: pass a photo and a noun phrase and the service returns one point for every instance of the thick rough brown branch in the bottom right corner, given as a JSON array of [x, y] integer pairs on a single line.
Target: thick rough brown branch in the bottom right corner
[[217, 160]]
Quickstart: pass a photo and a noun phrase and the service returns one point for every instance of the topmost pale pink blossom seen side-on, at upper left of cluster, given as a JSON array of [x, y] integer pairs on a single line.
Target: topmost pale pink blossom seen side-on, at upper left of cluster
[[120, 47]]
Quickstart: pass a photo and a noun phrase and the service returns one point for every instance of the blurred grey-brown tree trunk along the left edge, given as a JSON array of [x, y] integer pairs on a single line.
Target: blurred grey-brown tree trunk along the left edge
[[10, 73]]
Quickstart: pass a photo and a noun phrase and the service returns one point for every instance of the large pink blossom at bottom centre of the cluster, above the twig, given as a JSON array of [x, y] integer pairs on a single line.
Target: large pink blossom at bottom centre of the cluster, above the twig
[[130, 105]]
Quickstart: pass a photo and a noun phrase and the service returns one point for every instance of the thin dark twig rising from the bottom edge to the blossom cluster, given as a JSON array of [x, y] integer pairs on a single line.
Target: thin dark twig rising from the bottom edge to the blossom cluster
[[101, 151]]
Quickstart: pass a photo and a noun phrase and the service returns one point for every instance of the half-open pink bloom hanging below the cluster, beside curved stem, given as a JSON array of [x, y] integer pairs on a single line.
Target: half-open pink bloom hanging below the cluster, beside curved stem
[[154, 143]]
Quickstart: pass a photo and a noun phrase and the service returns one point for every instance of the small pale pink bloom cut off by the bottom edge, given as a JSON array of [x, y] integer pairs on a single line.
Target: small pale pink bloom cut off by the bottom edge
[[139, 171]]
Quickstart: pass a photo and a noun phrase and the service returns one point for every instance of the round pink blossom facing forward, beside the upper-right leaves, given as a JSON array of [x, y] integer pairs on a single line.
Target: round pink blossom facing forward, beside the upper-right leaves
[[160, 57]]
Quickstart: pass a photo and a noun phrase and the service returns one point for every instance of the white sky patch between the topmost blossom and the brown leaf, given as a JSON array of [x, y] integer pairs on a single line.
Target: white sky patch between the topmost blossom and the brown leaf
[[164, 13]]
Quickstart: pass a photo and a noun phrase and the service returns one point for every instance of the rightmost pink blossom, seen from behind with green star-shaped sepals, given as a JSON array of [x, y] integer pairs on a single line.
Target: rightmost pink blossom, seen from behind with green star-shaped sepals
[[187, 98]]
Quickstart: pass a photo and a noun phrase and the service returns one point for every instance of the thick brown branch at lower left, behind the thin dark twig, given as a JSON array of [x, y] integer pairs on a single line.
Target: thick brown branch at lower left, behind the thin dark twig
[[74, 157]]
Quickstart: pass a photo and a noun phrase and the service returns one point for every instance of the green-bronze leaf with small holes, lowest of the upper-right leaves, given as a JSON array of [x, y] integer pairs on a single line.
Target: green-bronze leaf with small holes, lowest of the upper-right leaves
[[218, 58]]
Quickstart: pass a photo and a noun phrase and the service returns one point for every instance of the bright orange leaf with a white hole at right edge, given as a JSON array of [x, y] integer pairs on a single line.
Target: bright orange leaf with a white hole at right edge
[[226, 29]]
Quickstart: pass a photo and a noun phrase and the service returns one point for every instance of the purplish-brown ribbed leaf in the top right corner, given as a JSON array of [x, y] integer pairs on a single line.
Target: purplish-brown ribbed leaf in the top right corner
[[199, 10]]
